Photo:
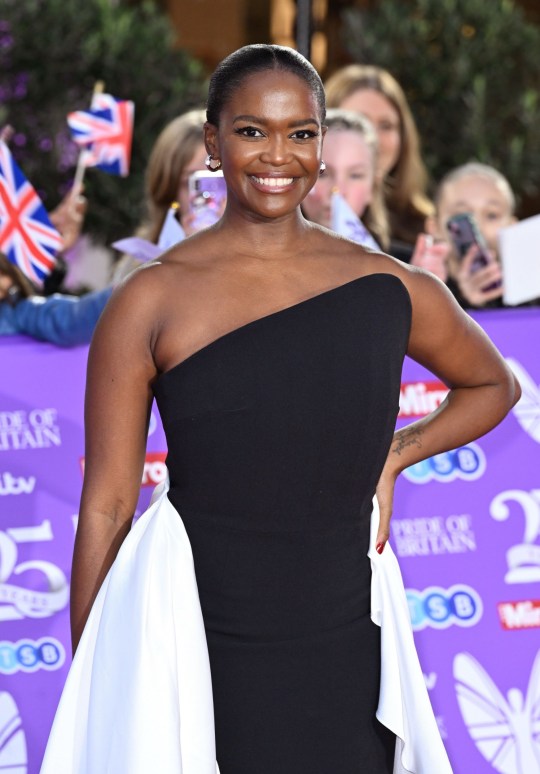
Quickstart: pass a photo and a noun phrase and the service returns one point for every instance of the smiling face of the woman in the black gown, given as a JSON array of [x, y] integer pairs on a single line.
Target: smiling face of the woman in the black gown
[[269, 142]]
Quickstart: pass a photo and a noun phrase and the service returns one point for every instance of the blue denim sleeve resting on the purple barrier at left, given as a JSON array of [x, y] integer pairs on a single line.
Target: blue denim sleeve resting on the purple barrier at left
[[63, 320]]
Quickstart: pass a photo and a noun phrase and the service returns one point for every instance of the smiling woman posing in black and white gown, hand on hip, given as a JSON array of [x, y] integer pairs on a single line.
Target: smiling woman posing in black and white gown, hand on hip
[[274, 349]]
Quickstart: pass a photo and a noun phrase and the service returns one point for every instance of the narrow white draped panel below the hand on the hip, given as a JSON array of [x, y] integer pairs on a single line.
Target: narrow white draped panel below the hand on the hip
[[404, 705]]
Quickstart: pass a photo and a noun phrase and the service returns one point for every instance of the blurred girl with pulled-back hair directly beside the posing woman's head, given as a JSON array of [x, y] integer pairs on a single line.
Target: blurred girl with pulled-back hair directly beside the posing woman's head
[[350, 155]]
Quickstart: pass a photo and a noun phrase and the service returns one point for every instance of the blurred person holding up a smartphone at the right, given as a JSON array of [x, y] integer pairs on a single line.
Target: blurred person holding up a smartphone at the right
[[485, 195]]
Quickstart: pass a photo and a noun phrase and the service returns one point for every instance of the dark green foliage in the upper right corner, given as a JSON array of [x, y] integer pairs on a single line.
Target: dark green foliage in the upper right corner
[[471, 70]]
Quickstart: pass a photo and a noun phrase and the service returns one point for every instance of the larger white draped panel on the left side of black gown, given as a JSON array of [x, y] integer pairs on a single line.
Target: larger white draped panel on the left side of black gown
[[138, 697]]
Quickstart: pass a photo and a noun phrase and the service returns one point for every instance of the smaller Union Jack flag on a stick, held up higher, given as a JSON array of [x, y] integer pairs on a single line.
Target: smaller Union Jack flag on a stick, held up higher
[[104, 133]]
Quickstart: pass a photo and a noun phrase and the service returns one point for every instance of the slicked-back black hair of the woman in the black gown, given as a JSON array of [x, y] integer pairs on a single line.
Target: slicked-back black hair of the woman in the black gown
[[260, 57]]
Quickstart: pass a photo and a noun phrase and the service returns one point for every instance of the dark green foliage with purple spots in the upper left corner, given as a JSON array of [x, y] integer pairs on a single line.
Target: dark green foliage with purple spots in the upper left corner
[[51, 54]]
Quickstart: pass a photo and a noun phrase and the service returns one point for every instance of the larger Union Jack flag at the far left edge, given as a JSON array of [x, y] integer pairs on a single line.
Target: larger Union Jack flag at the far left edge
[[27, 236]]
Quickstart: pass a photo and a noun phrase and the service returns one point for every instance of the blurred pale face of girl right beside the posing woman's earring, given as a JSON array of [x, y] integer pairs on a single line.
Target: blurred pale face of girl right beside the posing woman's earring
[[350, 169]]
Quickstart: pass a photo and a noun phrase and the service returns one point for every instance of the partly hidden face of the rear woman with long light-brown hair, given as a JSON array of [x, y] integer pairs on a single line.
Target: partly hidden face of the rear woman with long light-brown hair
[[385, 118]]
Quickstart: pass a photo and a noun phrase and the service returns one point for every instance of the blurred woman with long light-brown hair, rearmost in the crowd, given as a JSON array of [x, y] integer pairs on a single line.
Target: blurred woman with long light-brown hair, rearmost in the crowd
[[375, 93]]
